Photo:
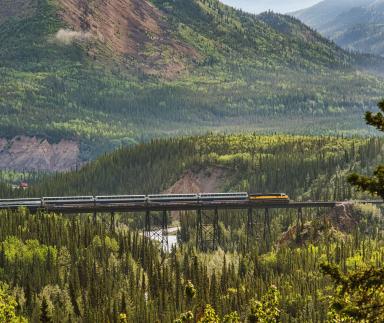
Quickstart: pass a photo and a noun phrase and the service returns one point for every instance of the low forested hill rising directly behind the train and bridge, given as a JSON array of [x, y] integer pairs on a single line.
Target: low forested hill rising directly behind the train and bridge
[[304, 167]]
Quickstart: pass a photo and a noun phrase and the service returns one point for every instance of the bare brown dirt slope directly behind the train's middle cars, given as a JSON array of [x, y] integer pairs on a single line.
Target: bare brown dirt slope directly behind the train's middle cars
[[205, 181]]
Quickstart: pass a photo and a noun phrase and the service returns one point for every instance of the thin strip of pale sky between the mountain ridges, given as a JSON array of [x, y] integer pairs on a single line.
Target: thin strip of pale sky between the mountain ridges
[[281, 6]]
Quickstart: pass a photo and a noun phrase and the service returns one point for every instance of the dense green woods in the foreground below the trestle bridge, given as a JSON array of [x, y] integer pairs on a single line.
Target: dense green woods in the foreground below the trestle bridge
[[87, 272]]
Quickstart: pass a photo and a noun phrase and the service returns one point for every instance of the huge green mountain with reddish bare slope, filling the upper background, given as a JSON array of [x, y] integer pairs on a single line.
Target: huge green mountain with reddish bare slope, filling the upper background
[[104, 73]]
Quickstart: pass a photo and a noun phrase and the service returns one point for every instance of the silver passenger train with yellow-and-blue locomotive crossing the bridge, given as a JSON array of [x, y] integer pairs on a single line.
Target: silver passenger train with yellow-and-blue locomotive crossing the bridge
[[141, 199]]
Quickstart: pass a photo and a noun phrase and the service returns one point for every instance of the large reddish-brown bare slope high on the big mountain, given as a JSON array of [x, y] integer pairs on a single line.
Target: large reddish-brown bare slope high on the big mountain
[[131, 28]]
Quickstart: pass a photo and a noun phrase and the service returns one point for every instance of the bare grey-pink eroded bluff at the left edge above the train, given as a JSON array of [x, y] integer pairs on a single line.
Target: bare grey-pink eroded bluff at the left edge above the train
[[33, 154]]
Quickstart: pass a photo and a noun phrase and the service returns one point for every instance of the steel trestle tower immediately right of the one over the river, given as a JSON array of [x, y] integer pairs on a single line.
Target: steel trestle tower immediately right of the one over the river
[[207, 230]]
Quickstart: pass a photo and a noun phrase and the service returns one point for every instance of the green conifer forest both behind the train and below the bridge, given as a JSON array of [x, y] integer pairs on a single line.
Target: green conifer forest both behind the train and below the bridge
[[71, 268]]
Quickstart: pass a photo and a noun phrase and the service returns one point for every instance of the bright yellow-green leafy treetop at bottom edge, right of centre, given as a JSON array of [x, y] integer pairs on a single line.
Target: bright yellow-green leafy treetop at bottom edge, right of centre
[[266, 310]]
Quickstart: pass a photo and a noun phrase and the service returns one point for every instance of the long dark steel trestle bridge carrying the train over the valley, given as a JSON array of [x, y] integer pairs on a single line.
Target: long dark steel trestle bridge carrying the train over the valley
[[207, 215]]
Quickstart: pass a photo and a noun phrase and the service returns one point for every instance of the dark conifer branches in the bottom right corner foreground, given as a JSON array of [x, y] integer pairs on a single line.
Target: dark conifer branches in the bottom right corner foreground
[[359, 295]]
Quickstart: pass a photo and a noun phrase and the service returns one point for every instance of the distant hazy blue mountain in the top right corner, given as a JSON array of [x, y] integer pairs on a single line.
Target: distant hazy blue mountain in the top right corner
[[354, 25]]
